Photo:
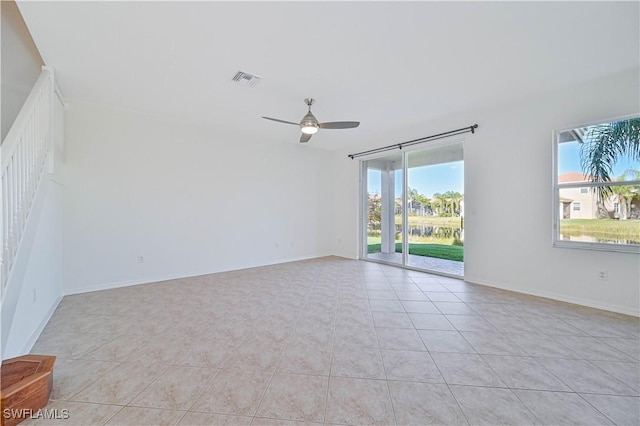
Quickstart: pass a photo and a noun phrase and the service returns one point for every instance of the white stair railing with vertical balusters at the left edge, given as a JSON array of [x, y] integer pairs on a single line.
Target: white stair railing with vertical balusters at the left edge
[[24, 154]]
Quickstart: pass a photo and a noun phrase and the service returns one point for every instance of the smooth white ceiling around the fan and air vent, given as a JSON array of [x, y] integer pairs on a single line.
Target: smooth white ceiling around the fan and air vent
[[387, 64]]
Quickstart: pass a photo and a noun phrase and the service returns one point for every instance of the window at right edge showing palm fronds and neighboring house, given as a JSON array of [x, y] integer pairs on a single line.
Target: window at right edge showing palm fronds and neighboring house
[[597, 186]]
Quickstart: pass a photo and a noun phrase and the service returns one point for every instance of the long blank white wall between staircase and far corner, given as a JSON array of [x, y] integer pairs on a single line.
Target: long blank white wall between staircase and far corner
[[189, 200]]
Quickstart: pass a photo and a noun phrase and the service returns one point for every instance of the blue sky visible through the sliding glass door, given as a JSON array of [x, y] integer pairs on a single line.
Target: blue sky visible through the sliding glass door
[[427, 180]]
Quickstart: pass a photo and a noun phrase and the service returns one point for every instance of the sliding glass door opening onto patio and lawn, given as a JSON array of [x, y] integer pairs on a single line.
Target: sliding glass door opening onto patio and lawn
[[414, 209]]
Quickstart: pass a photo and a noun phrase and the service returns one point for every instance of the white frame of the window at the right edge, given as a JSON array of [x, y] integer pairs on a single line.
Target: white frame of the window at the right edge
[[556, 240]]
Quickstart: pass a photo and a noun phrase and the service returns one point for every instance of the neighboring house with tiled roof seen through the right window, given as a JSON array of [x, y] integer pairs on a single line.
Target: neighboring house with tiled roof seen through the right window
[[582, 202]]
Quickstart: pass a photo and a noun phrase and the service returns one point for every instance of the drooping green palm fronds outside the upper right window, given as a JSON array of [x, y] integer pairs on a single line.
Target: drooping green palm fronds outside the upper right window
[[604, 145]]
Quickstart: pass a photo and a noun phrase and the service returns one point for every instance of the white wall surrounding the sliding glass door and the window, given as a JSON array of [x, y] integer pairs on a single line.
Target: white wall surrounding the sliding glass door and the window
[[508, 163]]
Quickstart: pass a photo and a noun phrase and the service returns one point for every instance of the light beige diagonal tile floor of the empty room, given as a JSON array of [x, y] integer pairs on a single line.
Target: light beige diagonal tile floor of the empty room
[[336, 341]]
